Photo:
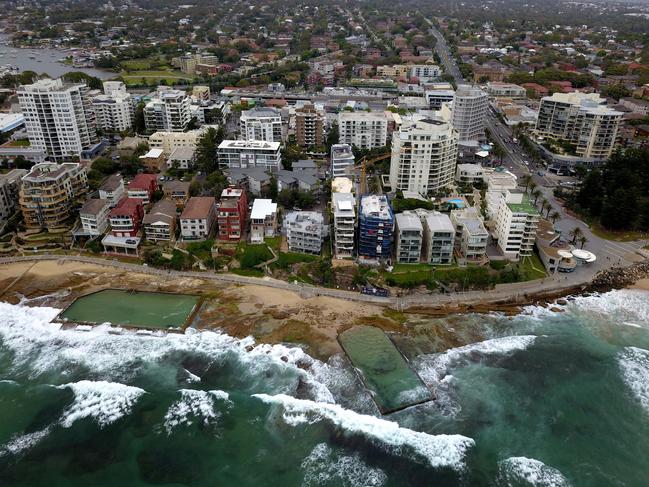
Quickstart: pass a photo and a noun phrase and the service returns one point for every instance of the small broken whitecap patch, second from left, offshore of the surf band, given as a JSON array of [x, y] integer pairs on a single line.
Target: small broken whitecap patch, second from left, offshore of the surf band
[[194, 405]]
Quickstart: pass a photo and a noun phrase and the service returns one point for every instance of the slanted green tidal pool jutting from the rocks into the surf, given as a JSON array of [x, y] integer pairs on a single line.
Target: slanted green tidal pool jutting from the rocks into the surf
[[383, 368]]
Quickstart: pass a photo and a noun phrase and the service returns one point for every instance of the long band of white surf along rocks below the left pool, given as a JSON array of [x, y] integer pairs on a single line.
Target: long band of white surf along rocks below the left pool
[[39, 348]]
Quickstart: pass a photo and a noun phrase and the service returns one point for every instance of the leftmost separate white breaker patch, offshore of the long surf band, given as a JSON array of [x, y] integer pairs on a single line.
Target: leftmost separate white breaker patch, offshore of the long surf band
[[105, 402]]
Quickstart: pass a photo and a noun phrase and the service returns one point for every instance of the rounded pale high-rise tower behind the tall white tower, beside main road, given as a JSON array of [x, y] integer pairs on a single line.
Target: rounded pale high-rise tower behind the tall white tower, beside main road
[[469, 112]]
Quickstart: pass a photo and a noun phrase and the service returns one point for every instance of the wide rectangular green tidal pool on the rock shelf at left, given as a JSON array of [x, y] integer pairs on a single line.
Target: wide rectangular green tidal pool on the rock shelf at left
[[120, 307]]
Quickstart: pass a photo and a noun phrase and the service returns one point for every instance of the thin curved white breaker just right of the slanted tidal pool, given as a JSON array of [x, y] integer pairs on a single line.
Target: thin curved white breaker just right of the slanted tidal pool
[[433, 368]]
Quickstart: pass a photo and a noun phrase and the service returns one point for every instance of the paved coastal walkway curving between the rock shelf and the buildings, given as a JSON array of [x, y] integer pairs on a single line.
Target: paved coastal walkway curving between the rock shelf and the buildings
[[510, 293]]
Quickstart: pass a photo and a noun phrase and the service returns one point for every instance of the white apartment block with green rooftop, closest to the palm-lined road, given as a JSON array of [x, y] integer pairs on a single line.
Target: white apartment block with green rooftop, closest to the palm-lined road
[[516, 220]]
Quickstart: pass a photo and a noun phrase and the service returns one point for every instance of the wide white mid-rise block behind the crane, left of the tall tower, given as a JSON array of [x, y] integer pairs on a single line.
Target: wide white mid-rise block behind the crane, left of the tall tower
[[365, 130]]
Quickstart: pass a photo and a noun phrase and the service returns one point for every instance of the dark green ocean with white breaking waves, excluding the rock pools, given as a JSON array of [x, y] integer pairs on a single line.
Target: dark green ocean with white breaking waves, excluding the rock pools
[[545, 398]]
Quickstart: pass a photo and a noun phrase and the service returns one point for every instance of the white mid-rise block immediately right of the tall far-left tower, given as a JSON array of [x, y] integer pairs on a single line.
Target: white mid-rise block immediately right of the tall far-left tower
[[115, 109]]
